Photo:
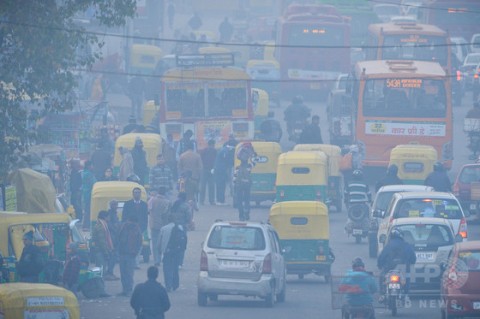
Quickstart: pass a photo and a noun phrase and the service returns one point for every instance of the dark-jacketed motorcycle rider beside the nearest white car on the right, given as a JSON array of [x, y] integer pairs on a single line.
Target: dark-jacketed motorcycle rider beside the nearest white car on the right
[[396, 252]]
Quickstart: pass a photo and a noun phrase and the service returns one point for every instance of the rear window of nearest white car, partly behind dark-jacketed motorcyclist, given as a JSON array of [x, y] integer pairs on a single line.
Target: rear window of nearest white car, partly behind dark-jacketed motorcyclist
[[426, 236]]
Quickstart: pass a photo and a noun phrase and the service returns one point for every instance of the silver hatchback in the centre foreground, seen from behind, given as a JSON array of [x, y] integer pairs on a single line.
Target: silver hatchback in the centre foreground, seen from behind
[[241, 258]]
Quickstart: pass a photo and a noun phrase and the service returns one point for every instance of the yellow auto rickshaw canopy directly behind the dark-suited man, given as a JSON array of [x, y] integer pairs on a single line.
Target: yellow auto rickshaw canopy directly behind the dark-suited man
[[104, 192]]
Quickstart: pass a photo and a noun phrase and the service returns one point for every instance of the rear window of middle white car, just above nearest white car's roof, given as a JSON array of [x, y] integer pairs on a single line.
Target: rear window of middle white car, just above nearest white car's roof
[[428, 207]]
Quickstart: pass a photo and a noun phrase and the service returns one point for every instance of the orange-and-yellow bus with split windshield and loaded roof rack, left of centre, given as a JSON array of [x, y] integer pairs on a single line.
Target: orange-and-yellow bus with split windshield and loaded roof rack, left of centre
[[205, 93]]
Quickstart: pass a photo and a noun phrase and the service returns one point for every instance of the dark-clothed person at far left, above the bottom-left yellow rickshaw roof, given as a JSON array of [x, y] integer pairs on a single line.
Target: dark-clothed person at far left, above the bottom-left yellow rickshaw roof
[[31, 262]]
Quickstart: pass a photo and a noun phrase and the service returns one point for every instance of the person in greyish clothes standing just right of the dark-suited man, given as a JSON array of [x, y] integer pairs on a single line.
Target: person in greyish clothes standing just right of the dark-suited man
[[159, 217]]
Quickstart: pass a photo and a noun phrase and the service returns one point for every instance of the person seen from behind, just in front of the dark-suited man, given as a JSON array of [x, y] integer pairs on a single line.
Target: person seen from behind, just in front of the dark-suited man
[[130, 243]]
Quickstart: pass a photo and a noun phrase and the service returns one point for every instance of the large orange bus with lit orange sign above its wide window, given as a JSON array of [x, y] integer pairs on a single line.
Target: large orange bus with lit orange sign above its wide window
[[400, 102]]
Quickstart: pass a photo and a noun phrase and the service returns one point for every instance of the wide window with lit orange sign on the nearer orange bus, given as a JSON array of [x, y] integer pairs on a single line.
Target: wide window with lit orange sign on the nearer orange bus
[[404, 98]]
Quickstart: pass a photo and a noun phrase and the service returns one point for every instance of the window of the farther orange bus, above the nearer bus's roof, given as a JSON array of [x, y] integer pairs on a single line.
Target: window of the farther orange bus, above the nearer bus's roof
[[415, 47]]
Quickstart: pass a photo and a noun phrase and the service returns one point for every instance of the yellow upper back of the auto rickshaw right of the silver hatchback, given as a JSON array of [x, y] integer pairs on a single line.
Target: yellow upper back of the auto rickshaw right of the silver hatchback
[[300, 220]]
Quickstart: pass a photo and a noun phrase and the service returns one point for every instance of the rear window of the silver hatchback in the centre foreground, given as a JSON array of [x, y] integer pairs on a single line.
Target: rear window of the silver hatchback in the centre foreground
[[234, 237]]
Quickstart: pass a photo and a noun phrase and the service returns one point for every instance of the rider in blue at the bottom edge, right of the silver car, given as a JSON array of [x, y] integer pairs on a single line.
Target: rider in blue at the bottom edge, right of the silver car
[[358, 286]]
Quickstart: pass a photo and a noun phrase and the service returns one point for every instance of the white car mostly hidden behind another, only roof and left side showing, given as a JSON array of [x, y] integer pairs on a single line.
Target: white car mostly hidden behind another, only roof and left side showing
[[380, 204]]
